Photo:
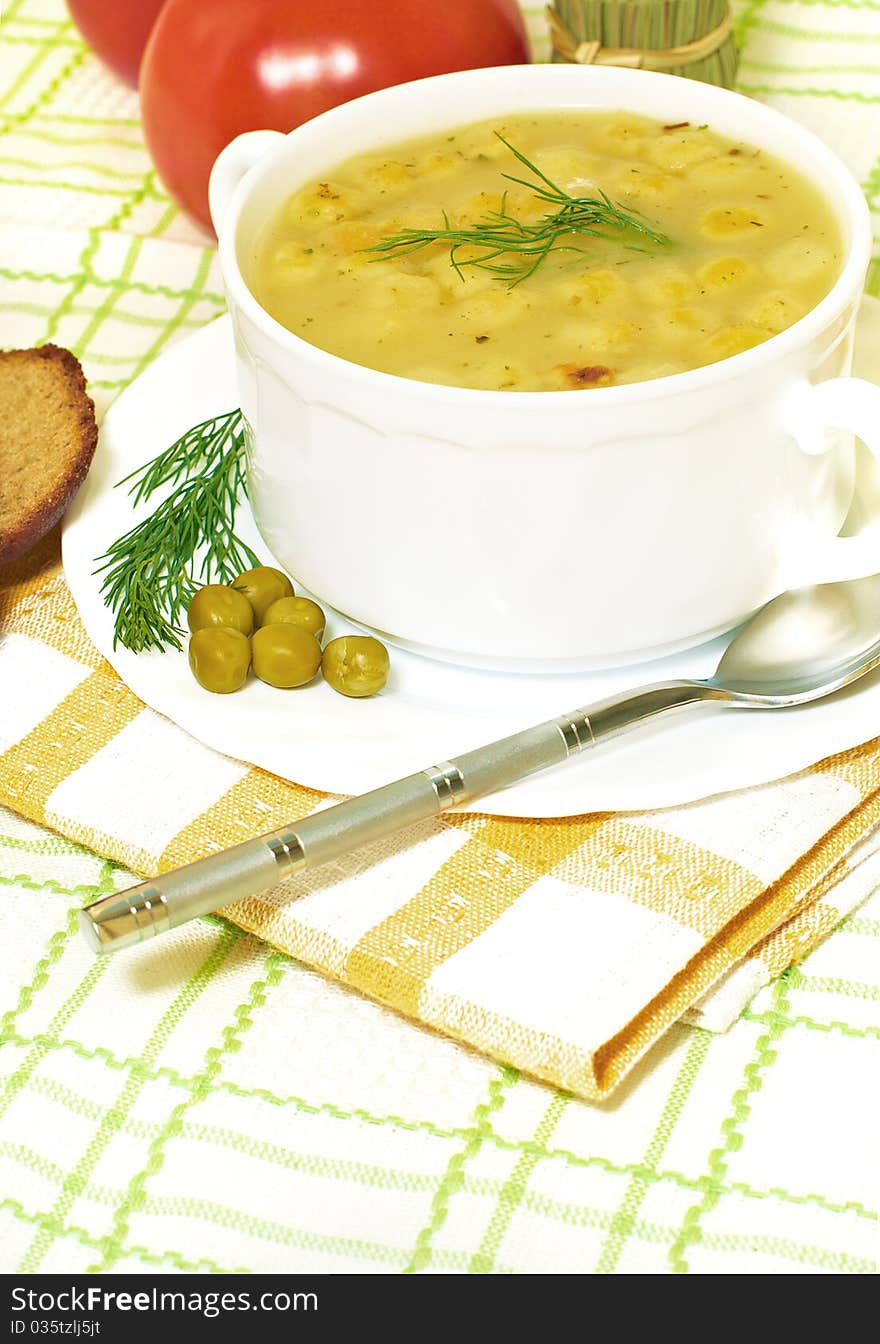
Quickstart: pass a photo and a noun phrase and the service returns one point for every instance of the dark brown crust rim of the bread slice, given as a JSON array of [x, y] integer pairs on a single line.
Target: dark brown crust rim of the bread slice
[[40, 517]]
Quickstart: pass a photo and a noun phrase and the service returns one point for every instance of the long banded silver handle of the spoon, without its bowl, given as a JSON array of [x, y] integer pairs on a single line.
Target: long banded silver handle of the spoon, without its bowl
[[152, 908]]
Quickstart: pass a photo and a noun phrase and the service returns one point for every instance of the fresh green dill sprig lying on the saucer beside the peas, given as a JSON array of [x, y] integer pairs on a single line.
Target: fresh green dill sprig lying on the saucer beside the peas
[[150, 575]]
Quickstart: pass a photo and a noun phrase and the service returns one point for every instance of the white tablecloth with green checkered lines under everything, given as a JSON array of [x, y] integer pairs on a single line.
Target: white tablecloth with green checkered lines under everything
[[212, 1105]]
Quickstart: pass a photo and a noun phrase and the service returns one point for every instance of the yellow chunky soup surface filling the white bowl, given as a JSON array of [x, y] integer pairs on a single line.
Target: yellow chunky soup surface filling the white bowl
[[701, 248]]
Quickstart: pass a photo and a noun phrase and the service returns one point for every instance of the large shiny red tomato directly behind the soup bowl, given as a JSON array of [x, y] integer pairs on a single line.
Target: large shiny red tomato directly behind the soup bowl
[[213, 71]]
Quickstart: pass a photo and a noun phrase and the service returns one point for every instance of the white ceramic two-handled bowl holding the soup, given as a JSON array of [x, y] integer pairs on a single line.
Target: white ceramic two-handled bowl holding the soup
[[549, 529]]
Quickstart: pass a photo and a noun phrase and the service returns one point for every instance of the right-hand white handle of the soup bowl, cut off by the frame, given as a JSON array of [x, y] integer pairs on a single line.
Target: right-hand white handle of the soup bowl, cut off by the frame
[[854, 405]]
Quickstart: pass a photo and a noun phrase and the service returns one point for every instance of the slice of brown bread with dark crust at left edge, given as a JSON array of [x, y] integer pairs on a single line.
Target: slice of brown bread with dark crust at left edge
[[48, 440]]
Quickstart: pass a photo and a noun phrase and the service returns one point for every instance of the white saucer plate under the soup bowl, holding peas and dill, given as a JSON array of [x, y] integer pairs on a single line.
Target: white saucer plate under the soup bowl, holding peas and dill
[[432, 712]]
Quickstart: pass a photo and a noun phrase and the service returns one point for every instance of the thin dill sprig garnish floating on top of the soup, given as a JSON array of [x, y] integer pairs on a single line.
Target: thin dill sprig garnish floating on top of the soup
[[499, 235]]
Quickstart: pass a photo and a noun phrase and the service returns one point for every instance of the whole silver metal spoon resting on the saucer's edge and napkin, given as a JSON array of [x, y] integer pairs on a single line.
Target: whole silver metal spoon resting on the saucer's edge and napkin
[[801, 647]]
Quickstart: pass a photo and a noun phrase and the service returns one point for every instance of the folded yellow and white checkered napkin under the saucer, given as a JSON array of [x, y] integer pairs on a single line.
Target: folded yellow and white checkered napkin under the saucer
[[565, 948]]
